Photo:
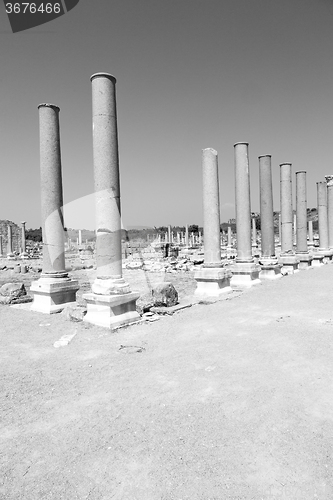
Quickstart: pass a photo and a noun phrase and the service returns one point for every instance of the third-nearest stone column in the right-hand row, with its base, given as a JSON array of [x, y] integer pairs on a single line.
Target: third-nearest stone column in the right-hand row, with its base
[[270, 269]]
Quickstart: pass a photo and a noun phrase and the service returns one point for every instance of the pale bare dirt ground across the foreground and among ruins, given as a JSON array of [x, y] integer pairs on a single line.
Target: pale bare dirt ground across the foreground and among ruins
[[228, 400]]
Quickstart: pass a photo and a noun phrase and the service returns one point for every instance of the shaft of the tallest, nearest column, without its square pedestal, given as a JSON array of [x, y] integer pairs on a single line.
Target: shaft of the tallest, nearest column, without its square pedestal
[[106, 175]]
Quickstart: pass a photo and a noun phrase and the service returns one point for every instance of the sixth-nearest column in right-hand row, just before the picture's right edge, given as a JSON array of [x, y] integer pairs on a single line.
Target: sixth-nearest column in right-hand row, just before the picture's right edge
[[322, 254]]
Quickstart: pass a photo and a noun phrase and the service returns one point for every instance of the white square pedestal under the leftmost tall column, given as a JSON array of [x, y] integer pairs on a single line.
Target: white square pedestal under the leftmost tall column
[[51, 295]]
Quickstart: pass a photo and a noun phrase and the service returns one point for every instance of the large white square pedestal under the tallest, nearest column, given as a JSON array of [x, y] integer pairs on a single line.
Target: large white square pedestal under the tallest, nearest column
[[111, 311]]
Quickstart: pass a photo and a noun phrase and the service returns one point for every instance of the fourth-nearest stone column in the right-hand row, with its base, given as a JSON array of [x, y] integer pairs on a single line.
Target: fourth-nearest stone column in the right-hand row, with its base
[[287, 258]]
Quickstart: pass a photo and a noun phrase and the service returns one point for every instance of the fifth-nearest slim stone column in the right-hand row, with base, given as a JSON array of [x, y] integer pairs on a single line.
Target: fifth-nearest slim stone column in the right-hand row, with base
[[302, 252]]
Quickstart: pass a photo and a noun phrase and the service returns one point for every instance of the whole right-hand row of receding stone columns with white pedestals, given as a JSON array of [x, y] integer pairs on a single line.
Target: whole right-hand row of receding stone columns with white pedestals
[[211, 280]]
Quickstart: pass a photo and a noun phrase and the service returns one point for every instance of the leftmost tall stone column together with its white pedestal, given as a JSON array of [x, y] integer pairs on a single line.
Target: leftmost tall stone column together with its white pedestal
[[55, 289]]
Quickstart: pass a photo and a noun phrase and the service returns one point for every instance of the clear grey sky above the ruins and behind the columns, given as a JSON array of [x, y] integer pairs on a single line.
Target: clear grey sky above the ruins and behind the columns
[[191, 74]]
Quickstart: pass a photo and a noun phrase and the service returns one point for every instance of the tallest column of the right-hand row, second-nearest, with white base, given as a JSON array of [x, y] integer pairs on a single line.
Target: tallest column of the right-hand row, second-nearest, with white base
[[245, 272]]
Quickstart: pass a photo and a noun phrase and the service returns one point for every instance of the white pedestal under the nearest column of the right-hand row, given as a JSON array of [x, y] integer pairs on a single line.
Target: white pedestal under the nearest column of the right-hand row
[[212, 281]]
